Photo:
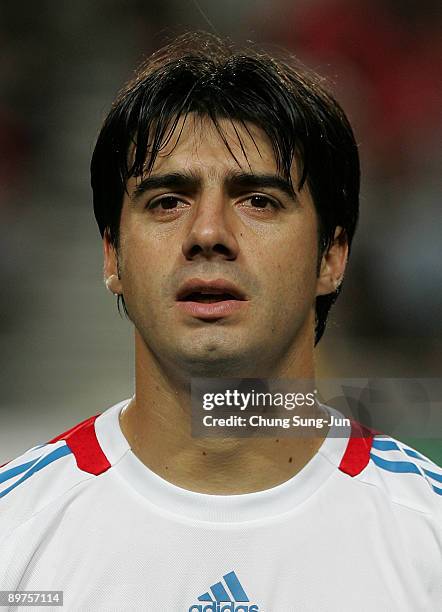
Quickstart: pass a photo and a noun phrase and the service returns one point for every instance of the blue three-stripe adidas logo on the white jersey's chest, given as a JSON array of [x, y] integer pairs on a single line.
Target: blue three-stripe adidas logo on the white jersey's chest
[[225, 597]]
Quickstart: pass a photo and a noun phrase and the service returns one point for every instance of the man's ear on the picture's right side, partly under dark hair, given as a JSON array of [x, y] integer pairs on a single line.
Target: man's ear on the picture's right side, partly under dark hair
[[333, 264]]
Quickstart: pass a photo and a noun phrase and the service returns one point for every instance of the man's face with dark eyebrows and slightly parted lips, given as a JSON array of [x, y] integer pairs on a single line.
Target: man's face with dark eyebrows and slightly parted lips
[[202, 216]]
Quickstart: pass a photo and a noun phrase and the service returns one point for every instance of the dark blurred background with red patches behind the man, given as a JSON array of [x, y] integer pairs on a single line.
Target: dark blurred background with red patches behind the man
[[66, 354]]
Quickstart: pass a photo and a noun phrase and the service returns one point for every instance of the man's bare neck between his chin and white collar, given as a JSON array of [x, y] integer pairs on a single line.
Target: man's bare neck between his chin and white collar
[[157, 425]]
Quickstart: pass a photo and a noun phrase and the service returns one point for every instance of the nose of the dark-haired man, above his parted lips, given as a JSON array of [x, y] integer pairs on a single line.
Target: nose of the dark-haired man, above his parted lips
[[210, 234]]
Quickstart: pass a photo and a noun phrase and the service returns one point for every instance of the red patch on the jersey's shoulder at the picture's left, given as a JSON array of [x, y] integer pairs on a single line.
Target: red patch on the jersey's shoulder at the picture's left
[[83, 442]]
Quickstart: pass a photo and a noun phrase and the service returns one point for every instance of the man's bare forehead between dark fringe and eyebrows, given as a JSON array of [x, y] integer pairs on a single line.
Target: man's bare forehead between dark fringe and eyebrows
[[197, 143]]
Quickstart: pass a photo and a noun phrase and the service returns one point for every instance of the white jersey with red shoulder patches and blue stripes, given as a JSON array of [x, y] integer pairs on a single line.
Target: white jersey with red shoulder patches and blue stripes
[[358, 528]]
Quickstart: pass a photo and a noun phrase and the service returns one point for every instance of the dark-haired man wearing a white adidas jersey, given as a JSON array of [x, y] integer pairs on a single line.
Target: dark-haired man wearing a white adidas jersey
[[226, 192]]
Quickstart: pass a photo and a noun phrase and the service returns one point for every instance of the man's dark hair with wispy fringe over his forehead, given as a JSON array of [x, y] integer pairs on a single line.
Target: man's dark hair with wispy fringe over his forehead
[[202, 74]]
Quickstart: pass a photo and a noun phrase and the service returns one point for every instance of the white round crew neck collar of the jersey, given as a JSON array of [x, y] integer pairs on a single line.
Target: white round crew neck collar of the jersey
[[191, 505]]
